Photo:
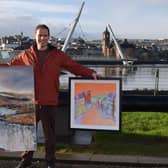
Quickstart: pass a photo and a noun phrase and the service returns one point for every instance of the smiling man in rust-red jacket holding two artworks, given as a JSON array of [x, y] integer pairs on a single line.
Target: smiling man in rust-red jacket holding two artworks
[[48, 63]]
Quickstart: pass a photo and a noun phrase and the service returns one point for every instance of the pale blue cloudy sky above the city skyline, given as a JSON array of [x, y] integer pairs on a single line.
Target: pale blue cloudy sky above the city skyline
[[132, 19]]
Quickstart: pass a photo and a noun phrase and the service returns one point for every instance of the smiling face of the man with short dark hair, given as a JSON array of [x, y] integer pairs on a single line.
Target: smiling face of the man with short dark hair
[[41, 37]]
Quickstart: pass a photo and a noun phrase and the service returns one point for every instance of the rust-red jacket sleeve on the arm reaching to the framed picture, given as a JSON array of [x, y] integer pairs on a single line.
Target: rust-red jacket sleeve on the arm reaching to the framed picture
[[76, 68]]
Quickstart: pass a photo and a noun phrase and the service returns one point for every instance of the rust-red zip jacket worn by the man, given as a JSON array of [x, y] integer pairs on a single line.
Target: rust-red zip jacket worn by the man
[[47, 76]]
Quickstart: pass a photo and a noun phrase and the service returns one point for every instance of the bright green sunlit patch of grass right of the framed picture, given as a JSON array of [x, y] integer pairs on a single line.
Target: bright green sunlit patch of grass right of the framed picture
[[145, 123]]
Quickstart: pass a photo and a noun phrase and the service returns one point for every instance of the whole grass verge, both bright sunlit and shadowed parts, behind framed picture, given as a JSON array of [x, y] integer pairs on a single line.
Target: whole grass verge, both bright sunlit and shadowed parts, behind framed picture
[[142, 133]]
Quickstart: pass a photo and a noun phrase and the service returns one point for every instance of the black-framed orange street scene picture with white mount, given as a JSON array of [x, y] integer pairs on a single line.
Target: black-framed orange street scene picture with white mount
[[95, 104]]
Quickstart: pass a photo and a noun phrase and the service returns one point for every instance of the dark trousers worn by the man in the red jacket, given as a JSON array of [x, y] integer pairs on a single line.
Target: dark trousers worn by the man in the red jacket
[[47, 116]]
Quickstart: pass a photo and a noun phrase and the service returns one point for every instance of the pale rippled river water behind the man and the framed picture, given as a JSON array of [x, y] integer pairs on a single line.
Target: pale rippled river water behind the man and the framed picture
[[134, 77]]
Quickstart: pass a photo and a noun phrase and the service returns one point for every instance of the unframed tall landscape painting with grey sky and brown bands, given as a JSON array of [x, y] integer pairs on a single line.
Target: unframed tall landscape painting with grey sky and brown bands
[[17, 110]]
